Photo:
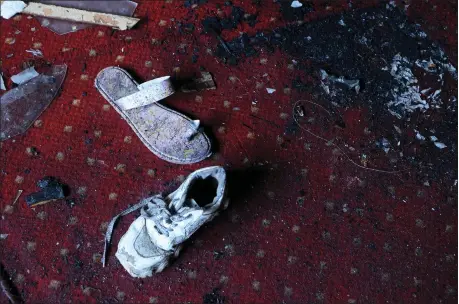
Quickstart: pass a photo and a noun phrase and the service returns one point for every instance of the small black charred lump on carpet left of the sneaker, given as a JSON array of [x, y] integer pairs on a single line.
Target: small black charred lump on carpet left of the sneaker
[[51, 189]]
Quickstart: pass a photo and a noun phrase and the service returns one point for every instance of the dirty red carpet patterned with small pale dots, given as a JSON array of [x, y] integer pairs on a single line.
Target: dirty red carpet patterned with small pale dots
[[305, 225]]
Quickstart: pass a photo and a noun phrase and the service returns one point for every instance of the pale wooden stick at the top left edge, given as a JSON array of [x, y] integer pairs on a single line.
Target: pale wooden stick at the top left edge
[[77, 15]]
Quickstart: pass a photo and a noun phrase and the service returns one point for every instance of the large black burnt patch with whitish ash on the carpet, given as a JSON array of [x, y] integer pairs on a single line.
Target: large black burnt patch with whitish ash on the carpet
[[384, 34]]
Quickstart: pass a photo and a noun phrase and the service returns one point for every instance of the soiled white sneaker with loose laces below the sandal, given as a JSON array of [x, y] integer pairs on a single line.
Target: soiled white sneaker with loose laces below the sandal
[[165, 223]]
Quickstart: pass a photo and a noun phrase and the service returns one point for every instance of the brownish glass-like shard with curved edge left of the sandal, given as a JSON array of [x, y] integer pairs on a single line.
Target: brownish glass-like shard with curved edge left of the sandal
[[21, 106]]
